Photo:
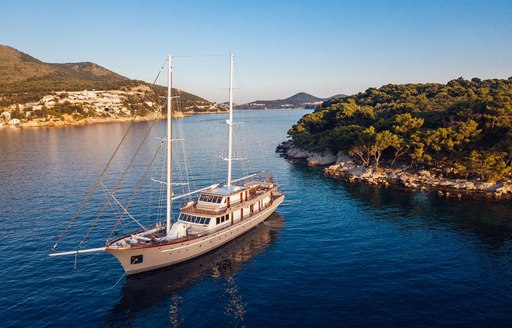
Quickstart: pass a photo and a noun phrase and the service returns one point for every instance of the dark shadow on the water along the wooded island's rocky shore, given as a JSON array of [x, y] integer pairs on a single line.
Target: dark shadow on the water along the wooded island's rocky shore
[[490, 222]]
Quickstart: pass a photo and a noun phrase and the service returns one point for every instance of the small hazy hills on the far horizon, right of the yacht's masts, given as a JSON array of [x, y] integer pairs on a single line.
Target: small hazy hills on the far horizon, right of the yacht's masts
[[299, 100]]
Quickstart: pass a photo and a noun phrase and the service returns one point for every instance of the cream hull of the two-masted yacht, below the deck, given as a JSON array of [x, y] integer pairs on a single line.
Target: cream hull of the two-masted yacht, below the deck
[[154, 257]]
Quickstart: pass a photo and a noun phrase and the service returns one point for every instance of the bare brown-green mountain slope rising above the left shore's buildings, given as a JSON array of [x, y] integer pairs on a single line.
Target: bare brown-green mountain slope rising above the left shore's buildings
[[24, 78]]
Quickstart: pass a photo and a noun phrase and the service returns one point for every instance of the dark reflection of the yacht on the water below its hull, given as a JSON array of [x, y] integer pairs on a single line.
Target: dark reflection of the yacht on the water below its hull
[[148, 289]]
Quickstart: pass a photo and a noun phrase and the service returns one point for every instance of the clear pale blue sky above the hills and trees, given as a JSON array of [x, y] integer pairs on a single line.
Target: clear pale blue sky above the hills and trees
[[281, 47]]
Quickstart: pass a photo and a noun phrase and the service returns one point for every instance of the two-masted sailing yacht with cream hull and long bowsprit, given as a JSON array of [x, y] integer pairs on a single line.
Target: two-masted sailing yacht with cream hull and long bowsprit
[[218, 213]]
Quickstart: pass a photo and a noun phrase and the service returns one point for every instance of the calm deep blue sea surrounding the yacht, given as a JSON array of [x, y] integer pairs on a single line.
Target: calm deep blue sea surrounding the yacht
[[334, 254]]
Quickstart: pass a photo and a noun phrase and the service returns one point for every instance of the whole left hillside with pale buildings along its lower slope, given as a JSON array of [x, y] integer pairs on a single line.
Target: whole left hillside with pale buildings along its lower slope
[[36, 93]]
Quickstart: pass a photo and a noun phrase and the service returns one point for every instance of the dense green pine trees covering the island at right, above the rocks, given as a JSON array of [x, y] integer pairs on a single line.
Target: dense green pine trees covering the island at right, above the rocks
[[463, 128]]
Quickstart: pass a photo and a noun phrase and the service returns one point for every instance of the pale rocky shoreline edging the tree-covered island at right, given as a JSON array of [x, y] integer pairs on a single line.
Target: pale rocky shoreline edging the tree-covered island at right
[[340, 166]]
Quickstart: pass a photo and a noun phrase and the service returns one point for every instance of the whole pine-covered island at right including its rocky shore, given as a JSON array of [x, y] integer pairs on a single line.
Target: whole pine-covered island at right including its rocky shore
[[453, 139]]
